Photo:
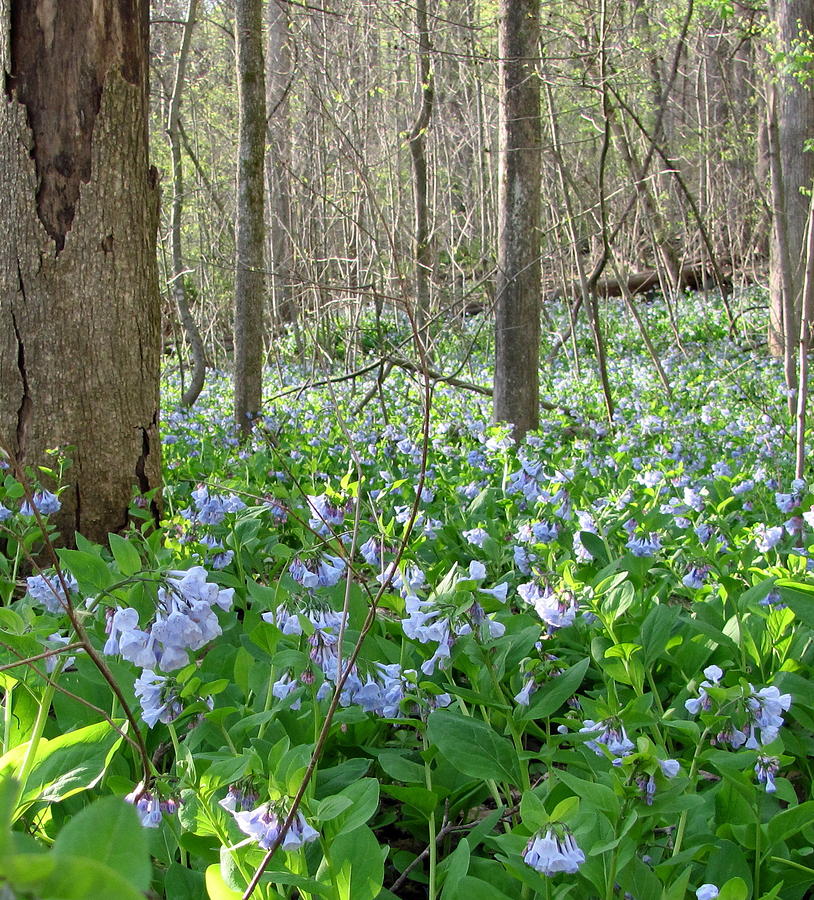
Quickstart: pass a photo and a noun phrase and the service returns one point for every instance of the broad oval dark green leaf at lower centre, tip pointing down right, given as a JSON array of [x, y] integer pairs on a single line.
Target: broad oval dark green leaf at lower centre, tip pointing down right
[[475, 748]]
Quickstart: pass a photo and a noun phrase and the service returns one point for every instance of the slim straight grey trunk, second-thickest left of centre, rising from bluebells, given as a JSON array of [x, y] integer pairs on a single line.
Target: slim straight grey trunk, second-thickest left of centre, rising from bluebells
[[249, 226]]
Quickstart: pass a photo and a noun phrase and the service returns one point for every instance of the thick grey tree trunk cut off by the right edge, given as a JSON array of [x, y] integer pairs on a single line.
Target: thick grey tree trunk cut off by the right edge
[[792, 169]]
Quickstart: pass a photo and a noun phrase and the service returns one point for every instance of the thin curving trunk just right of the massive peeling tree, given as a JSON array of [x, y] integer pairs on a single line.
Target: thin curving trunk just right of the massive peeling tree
[[179, 293]]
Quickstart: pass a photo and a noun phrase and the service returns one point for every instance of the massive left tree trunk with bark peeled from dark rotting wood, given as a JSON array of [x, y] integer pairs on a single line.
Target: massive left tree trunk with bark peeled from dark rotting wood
[[79, 302]]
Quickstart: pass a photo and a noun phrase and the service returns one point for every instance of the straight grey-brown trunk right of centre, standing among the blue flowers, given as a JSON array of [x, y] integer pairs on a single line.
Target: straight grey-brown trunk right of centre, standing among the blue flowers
[[517, 284]]
